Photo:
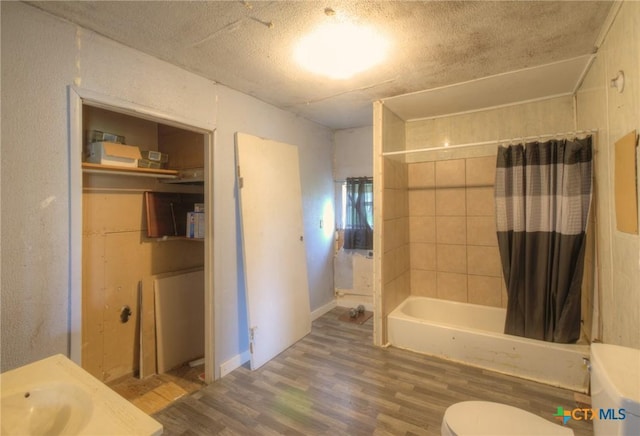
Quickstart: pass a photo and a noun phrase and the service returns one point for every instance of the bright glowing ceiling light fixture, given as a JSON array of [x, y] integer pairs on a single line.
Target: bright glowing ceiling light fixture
[[341, 49]]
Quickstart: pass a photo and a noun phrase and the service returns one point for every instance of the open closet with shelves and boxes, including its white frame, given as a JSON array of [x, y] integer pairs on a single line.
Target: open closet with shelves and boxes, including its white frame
[[141, 291]]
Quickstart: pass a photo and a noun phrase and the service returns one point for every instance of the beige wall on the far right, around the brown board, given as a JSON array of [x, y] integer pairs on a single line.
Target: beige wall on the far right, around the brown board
[[614, 114]]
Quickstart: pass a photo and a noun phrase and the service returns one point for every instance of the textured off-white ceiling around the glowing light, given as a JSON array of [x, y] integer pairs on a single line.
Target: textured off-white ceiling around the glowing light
[[248, 46]]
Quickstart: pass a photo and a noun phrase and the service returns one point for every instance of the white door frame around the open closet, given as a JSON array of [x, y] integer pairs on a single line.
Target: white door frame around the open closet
[[77, 98]]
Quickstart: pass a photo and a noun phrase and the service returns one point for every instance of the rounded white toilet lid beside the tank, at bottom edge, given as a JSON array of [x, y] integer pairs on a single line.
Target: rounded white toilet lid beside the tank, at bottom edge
[[487, 418]]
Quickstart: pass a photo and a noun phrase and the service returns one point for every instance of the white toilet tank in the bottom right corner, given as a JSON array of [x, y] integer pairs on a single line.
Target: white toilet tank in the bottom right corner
[[615, 390]]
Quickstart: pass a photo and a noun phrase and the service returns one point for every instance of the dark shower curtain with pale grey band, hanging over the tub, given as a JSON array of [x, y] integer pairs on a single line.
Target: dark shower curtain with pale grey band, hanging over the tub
[[543, 195]]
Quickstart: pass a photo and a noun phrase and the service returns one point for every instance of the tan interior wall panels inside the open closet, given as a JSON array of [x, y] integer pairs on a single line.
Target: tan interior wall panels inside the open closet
[[119, 261]]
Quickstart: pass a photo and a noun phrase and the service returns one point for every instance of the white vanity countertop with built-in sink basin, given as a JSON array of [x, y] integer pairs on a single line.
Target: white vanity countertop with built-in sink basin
[[54, 396]]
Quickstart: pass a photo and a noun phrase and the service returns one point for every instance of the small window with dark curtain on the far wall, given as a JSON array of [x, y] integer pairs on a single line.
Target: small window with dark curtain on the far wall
[[358, 210]]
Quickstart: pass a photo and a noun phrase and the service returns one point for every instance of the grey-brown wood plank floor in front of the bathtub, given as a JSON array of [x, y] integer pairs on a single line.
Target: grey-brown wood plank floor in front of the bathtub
[[335, 382]]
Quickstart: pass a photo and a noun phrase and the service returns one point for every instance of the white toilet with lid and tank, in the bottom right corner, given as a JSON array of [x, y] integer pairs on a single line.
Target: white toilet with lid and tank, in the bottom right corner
[[615, 386]]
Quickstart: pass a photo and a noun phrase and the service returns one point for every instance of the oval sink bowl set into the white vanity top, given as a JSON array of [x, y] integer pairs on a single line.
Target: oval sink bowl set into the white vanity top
[[49, 409]]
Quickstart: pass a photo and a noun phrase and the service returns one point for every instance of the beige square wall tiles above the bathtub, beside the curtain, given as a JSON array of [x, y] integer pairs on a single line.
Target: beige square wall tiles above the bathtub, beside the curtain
[[445, 219]]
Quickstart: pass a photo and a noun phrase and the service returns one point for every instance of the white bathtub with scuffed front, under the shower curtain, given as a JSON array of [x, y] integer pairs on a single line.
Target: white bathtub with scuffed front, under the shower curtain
[[473, 335]]
